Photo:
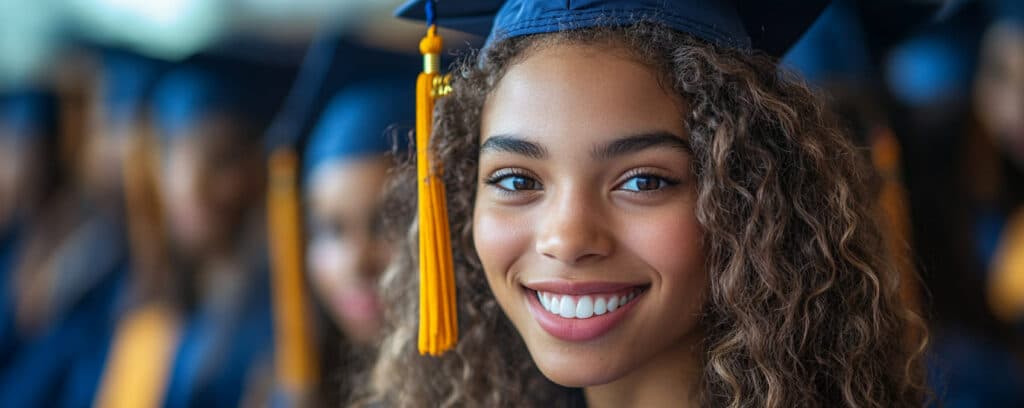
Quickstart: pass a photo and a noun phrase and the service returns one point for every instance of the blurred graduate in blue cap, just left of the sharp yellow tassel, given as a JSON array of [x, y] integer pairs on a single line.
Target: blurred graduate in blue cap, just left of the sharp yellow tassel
[[348, 164]]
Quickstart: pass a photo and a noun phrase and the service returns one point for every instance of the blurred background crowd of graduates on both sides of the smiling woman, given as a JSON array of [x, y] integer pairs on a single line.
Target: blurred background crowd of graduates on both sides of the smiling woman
[[190, 190]]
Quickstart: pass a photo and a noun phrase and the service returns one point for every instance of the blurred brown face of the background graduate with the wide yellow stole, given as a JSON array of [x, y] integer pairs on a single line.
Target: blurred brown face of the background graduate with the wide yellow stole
[[211, 179]]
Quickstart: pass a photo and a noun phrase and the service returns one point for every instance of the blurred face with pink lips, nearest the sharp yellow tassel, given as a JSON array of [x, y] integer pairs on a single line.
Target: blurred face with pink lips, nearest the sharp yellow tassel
[[347, 252]]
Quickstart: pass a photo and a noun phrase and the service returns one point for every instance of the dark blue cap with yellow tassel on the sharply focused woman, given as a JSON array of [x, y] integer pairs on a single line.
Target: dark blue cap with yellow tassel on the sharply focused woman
[[770, 27]]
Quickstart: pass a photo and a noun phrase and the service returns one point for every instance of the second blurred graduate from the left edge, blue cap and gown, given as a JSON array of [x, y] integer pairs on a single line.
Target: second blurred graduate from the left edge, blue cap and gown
[[71, 280]]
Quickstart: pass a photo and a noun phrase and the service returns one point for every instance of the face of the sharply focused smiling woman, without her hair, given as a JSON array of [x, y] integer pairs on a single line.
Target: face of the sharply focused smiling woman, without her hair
[[585, 217]]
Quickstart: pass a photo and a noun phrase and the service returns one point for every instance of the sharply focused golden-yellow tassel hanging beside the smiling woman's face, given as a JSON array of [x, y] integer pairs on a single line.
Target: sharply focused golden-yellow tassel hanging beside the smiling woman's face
[[439, 321]]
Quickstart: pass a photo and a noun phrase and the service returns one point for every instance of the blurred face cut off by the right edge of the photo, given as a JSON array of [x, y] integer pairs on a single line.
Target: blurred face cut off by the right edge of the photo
[[1000, 94]]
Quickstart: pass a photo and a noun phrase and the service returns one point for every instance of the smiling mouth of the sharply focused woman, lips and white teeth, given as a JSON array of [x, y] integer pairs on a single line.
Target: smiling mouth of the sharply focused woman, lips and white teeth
[[581, 311]]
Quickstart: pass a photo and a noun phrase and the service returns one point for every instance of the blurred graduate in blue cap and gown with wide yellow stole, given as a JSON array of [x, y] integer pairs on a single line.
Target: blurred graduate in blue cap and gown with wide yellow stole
[[208, 338]]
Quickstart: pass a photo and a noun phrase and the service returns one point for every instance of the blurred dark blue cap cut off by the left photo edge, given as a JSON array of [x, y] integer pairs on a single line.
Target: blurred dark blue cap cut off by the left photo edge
[[28, 114]]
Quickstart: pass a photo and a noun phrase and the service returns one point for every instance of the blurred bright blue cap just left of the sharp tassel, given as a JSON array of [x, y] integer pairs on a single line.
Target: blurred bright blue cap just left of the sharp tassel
[[364, 119]]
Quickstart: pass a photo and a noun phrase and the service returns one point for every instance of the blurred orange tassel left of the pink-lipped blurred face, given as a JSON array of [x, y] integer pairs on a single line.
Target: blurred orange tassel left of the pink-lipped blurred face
[[296, 352]]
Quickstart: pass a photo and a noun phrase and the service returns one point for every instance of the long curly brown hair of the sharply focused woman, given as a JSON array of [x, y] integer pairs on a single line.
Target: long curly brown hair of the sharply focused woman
[[803, 307]]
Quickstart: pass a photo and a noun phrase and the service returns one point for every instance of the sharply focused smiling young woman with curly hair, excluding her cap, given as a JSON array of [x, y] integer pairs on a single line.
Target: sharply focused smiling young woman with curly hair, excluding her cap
[[643, 219]]
